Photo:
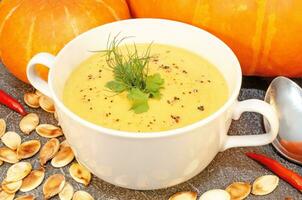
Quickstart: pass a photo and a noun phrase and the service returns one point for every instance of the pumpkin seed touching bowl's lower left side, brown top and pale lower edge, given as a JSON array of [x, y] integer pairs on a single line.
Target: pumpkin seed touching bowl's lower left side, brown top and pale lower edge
[[63, 157]]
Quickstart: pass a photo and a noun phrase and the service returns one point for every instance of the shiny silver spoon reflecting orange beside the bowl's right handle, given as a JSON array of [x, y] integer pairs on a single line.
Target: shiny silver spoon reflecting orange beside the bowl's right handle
[[286, 98]]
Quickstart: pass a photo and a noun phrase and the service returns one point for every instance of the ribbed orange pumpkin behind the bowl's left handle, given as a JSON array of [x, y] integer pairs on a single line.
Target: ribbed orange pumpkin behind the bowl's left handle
[[31, 26]]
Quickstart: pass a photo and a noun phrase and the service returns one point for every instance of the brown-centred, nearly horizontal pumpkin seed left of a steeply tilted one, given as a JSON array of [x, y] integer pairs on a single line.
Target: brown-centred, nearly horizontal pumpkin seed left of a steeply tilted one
[[28, 149]]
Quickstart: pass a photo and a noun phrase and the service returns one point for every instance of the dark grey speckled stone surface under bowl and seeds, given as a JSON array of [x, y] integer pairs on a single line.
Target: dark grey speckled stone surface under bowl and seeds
[[227, 167]]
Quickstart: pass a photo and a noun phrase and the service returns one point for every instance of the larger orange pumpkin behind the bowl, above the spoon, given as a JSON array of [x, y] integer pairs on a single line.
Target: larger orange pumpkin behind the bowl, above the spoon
[[266, 35]]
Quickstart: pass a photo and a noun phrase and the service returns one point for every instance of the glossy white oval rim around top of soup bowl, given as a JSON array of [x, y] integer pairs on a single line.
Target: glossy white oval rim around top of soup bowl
[[149, 135]]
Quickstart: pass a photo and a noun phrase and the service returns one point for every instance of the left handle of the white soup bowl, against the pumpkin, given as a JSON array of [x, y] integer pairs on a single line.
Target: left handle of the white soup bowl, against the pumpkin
[[45, 59]]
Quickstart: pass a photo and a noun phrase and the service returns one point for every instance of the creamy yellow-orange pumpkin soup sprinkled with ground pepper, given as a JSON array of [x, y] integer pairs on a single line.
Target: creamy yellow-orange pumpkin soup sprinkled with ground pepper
[[193, 90]]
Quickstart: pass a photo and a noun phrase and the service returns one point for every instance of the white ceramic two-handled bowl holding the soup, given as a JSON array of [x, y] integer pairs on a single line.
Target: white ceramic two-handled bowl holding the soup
[[160, 159]]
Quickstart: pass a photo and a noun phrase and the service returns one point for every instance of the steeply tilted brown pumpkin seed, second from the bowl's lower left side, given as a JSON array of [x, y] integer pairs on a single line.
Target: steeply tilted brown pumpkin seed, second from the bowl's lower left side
[[49, 150]]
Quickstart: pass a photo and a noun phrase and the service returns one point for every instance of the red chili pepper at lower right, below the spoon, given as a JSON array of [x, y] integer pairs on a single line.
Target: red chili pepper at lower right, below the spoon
[[288, 175]]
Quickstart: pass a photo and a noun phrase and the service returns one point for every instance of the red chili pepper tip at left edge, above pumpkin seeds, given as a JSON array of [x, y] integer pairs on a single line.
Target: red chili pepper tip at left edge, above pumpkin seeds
[[11, 102]]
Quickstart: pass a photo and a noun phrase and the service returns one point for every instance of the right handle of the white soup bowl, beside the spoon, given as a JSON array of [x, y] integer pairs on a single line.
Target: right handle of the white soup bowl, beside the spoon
[[254, 105]]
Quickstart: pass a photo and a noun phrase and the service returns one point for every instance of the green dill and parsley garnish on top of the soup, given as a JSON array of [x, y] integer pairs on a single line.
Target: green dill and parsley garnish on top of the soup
[[131, 75]]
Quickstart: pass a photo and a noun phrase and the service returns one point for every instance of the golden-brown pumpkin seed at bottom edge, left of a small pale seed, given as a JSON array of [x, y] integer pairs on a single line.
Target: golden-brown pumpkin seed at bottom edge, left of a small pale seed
[[53, 185]]
